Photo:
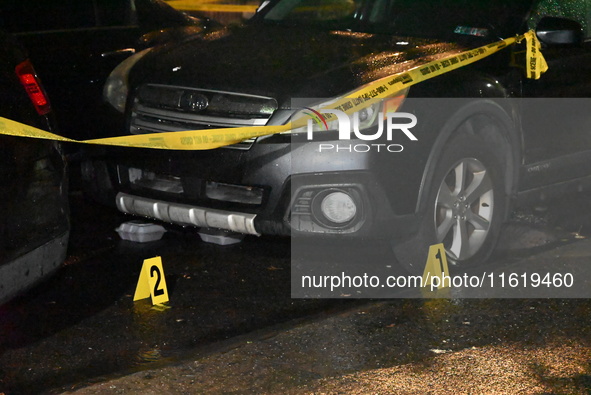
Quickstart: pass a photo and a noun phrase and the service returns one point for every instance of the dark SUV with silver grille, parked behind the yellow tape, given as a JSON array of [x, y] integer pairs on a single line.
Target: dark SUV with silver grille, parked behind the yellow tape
[[482, 139]]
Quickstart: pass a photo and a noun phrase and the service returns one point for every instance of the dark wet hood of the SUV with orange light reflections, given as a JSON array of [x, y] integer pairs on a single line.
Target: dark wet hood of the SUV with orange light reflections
[[283, 62]]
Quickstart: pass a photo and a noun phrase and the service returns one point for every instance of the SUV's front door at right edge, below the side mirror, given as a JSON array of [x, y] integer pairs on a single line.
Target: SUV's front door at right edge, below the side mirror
[[556, 119]]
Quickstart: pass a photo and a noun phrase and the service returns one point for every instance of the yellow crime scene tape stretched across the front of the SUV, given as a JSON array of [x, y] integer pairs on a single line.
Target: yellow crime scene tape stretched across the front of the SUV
[[354, 101]]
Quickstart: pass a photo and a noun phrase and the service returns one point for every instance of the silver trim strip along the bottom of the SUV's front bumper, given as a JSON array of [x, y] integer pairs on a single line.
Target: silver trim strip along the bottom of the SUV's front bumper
[[183, 214]]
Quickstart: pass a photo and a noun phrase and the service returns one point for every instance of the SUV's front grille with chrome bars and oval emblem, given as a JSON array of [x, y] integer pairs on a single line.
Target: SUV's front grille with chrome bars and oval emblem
[[160, 108]]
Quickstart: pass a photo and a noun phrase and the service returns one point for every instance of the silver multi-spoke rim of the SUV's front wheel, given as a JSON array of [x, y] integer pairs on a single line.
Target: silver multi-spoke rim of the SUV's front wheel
[[464, 209]]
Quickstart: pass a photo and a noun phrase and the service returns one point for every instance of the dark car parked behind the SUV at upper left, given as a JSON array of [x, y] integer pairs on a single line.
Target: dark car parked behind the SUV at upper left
[[75, 44]]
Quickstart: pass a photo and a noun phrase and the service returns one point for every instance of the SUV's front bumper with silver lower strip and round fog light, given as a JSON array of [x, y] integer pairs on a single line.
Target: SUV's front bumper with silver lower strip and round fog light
[[271, 189]]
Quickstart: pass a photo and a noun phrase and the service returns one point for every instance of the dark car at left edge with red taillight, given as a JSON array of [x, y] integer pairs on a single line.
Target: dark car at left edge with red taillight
[[34, 215]]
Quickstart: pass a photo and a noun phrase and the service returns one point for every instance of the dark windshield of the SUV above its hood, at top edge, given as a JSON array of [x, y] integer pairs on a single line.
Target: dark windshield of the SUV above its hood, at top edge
[[421, 18]]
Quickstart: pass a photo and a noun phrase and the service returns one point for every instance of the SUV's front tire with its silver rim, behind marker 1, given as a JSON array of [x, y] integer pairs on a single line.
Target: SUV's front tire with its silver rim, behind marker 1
[[464, 208]]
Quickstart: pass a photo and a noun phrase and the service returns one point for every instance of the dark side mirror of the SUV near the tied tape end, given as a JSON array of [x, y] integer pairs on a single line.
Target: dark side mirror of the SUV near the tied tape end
[[554, 31]]
